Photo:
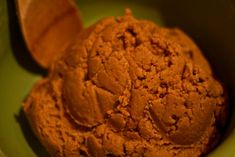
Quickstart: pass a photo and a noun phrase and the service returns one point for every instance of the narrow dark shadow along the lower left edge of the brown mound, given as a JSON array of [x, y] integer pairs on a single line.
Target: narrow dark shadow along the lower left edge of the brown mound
[[32, 140]]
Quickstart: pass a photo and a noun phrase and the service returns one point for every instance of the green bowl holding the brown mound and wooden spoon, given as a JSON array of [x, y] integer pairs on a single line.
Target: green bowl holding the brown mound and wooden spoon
[[210, 23]]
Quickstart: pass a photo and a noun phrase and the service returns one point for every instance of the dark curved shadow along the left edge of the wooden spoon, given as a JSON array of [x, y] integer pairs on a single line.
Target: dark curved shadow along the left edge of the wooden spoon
[[20, 51]]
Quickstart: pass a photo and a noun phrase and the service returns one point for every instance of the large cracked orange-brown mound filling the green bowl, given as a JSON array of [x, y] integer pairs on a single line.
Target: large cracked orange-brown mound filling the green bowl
[[128, 87]]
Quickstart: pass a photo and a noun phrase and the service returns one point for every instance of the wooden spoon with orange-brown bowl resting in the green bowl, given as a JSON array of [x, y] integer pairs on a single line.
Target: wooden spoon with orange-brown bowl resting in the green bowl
[[48, 26]]
